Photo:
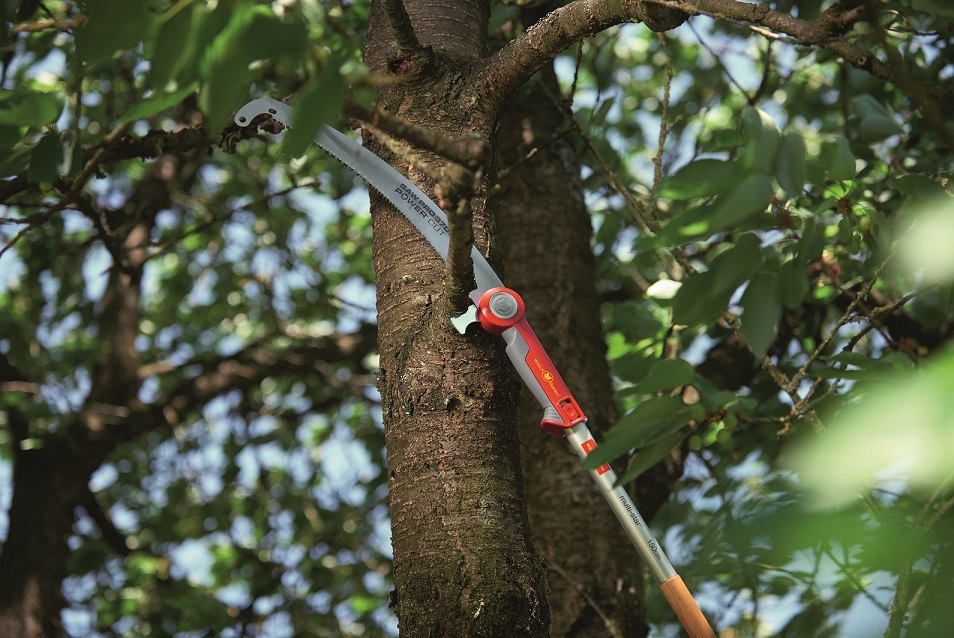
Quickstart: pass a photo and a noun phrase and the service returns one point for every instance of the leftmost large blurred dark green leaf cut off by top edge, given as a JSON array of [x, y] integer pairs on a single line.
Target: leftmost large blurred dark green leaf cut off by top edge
[[112, 25]]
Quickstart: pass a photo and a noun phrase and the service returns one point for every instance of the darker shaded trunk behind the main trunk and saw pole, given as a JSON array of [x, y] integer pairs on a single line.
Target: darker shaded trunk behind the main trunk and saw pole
[[546, 239]]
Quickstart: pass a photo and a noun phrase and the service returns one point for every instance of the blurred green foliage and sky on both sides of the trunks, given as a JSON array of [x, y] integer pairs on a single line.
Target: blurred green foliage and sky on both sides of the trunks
[[773, 230]]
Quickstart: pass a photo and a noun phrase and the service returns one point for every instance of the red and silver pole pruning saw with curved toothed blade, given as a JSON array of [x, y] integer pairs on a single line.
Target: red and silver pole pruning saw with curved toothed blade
[[500, 311]]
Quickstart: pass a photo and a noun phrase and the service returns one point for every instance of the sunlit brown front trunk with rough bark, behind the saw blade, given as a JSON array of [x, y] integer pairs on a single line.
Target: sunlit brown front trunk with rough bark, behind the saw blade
[[464, 562]]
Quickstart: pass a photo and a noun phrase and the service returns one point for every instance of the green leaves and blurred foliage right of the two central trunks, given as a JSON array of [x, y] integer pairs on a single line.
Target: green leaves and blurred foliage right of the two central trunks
[[780, 351]]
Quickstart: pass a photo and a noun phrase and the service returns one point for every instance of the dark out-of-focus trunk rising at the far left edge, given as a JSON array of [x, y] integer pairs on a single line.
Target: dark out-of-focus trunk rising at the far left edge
[[50, 480]]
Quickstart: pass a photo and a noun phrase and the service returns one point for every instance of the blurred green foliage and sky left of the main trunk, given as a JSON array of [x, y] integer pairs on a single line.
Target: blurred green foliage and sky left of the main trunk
[[262, 509]]
